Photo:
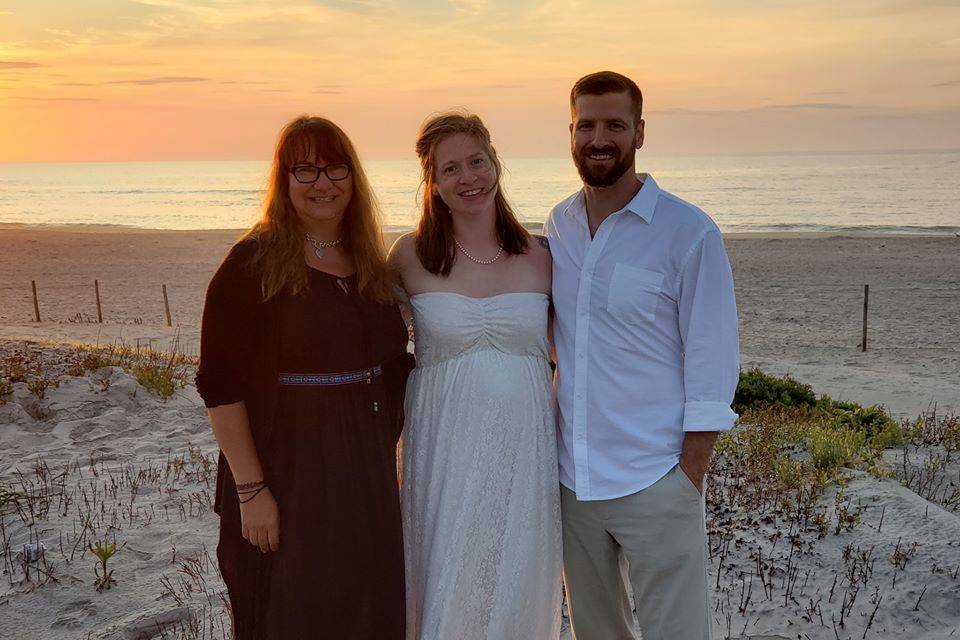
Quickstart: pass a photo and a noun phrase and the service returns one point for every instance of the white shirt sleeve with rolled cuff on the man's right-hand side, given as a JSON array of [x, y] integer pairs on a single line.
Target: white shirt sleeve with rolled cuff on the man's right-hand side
[[708, 328]]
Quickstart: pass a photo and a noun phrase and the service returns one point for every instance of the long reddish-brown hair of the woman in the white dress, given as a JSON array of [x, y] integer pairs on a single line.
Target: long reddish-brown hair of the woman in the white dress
[[434, 237]]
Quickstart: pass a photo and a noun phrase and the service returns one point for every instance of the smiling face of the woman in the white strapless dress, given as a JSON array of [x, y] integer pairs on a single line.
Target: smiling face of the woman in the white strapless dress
[[465, 176]]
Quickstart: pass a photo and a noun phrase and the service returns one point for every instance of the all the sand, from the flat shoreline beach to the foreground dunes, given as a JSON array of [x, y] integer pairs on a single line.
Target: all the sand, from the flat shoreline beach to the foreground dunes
[[100, 455]]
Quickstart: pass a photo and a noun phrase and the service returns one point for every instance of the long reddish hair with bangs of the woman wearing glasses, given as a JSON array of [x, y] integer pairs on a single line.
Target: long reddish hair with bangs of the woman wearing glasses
[[280, 233]]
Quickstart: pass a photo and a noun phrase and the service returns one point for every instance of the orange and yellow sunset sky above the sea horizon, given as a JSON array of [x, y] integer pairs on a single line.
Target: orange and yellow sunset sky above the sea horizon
[[215, 79]]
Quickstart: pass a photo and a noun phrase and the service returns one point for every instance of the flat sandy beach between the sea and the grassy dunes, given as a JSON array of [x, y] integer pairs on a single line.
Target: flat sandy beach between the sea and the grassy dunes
[[800, 299]]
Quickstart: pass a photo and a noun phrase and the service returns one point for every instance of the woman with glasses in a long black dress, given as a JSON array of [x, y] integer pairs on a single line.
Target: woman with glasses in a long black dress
[[303, 364]]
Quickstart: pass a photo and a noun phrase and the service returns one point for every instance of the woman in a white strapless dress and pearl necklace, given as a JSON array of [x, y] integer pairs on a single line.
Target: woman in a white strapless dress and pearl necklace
[[481, 508]]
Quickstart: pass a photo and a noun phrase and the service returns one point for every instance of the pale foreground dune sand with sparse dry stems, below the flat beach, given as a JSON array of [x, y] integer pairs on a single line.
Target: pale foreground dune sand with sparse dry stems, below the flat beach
[[103, 456]]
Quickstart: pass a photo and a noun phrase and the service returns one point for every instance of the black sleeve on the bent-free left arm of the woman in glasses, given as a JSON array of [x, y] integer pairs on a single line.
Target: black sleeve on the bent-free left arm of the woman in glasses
[[227, 330]]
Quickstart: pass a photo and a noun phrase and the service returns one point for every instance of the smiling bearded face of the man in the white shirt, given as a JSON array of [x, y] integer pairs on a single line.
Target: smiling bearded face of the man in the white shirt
[[604, 138]]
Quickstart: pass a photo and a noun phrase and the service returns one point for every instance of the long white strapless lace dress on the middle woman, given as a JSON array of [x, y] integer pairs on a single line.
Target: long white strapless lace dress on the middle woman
[[481, 509]]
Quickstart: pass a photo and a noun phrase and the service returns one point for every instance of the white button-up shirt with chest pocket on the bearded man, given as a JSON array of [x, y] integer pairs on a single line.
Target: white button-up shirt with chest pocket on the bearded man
[[645, 328]]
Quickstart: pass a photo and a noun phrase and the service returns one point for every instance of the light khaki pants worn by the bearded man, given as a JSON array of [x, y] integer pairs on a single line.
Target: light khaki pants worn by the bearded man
[[660, 531]]
